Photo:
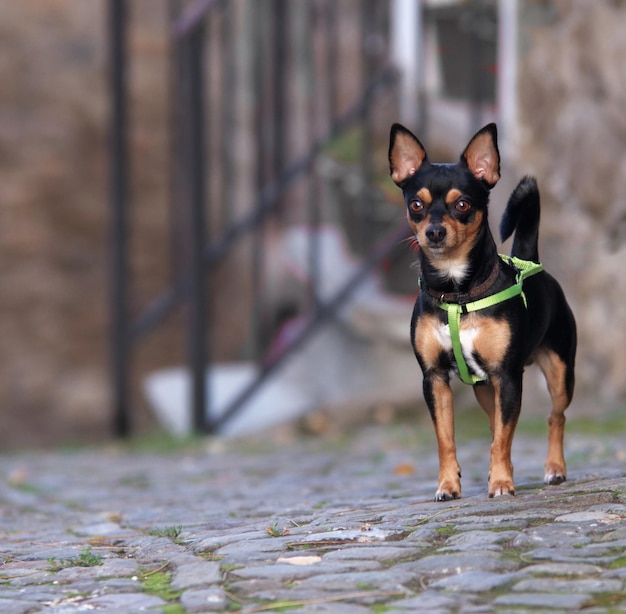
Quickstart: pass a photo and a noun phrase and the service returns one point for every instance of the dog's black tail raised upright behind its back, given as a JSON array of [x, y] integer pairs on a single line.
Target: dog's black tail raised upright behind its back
[[522, 216]]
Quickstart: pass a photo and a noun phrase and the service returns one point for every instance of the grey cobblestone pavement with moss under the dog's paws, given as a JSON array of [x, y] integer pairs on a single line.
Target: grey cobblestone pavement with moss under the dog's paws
[[345, 525]]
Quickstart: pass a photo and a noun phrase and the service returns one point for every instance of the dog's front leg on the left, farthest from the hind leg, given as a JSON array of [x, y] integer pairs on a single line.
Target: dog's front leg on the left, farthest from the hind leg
[[438, 397]]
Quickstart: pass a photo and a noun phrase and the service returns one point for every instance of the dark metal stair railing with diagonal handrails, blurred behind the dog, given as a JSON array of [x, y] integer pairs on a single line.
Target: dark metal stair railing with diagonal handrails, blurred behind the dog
[[204, 35]]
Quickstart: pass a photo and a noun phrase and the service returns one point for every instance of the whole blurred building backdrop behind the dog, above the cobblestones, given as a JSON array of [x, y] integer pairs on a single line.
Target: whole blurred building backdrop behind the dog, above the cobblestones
[[296, 102]]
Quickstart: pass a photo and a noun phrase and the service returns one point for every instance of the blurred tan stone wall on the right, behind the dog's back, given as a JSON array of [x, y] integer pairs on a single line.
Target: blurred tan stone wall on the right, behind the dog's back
[[573, 137]]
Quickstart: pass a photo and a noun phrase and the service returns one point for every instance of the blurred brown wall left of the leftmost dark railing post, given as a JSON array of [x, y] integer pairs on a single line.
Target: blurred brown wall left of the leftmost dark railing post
[[52, 219]]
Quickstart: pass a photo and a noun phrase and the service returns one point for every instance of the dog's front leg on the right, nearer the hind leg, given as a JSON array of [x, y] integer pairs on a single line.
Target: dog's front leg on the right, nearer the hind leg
[[508, 397]]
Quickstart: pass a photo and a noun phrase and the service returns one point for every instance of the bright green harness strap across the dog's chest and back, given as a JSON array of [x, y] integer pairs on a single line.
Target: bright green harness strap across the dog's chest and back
[[524, 268]]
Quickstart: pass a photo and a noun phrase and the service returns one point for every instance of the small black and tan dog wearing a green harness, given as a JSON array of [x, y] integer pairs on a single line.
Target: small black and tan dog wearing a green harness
[[481, 315]]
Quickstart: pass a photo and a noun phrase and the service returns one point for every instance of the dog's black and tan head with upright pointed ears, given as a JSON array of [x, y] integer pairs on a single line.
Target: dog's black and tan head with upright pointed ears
[[446, 203]]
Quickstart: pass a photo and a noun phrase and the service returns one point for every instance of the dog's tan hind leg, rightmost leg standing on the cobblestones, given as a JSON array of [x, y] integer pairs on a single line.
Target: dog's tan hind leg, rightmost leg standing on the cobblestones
[[557, 375]]
